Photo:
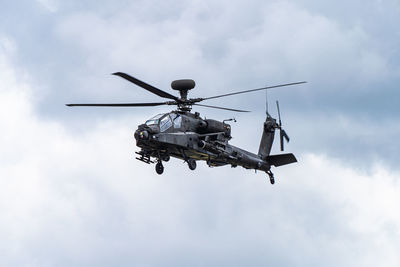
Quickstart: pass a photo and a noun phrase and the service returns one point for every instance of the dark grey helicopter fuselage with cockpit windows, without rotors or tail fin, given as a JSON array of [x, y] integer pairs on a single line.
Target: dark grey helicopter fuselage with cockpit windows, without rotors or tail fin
[[186, 136]]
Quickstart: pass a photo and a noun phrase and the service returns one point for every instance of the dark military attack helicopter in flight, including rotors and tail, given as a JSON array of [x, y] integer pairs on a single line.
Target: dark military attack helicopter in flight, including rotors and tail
[[185, 135]]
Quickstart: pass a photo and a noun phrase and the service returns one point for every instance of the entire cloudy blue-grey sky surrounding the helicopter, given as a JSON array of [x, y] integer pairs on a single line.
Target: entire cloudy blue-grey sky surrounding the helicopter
[[72, 194]]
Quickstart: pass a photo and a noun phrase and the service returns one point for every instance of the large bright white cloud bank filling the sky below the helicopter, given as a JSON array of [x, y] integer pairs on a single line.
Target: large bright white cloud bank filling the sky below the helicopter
[[72, 197]]
